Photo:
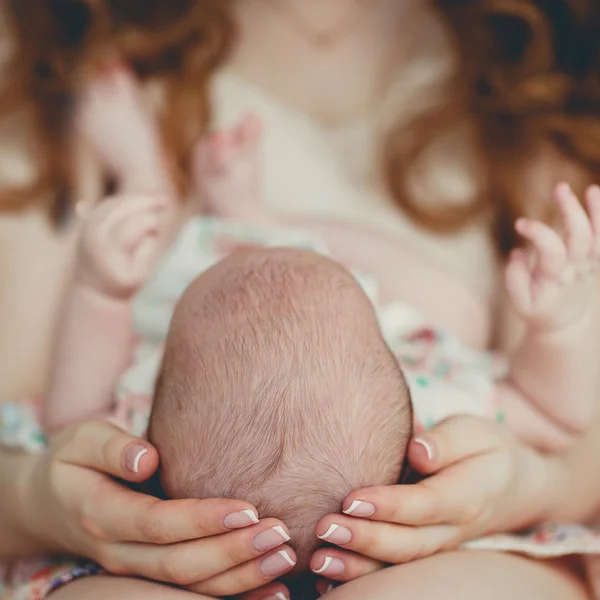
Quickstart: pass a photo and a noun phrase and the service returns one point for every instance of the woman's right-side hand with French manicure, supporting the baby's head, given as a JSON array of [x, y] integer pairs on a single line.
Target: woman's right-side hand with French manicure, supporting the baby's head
[[483, 481]]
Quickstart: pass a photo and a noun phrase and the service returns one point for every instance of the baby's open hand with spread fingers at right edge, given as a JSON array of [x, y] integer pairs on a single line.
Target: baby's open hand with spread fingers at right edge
[[555, 285]]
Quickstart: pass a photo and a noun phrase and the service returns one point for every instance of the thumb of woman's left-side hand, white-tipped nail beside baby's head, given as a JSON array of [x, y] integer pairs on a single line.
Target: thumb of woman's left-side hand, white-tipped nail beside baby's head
[[104, 447]]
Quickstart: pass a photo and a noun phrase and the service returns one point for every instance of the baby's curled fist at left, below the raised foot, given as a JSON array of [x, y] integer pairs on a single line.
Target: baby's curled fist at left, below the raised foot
[[120, 244]]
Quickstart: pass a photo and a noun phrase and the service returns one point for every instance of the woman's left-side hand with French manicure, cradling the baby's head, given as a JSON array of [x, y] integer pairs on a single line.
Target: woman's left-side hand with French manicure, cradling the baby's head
[[74, 506]]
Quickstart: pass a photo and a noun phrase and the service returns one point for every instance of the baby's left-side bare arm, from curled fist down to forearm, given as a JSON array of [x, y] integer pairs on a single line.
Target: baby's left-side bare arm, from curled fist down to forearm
[[118, 248]]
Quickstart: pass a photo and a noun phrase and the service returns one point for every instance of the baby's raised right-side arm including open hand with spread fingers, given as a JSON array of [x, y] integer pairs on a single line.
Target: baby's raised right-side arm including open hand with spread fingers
[[551, 391]]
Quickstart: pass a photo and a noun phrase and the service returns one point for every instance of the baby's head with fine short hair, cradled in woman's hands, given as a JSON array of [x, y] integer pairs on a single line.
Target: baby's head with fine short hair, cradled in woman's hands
[[277, 388]]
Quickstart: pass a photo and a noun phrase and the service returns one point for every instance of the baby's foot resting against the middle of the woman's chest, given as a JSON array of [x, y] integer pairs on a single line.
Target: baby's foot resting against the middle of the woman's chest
[[226, 172]]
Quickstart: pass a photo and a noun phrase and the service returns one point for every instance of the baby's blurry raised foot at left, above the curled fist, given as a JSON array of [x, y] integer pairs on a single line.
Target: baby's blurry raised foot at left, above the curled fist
[[122, 131]]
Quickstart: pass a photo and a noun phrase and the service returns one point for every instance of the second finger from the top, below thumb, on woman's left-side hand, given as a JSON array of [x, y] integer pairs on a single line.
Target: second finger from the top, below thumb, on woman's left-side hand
[[199, 560]]
